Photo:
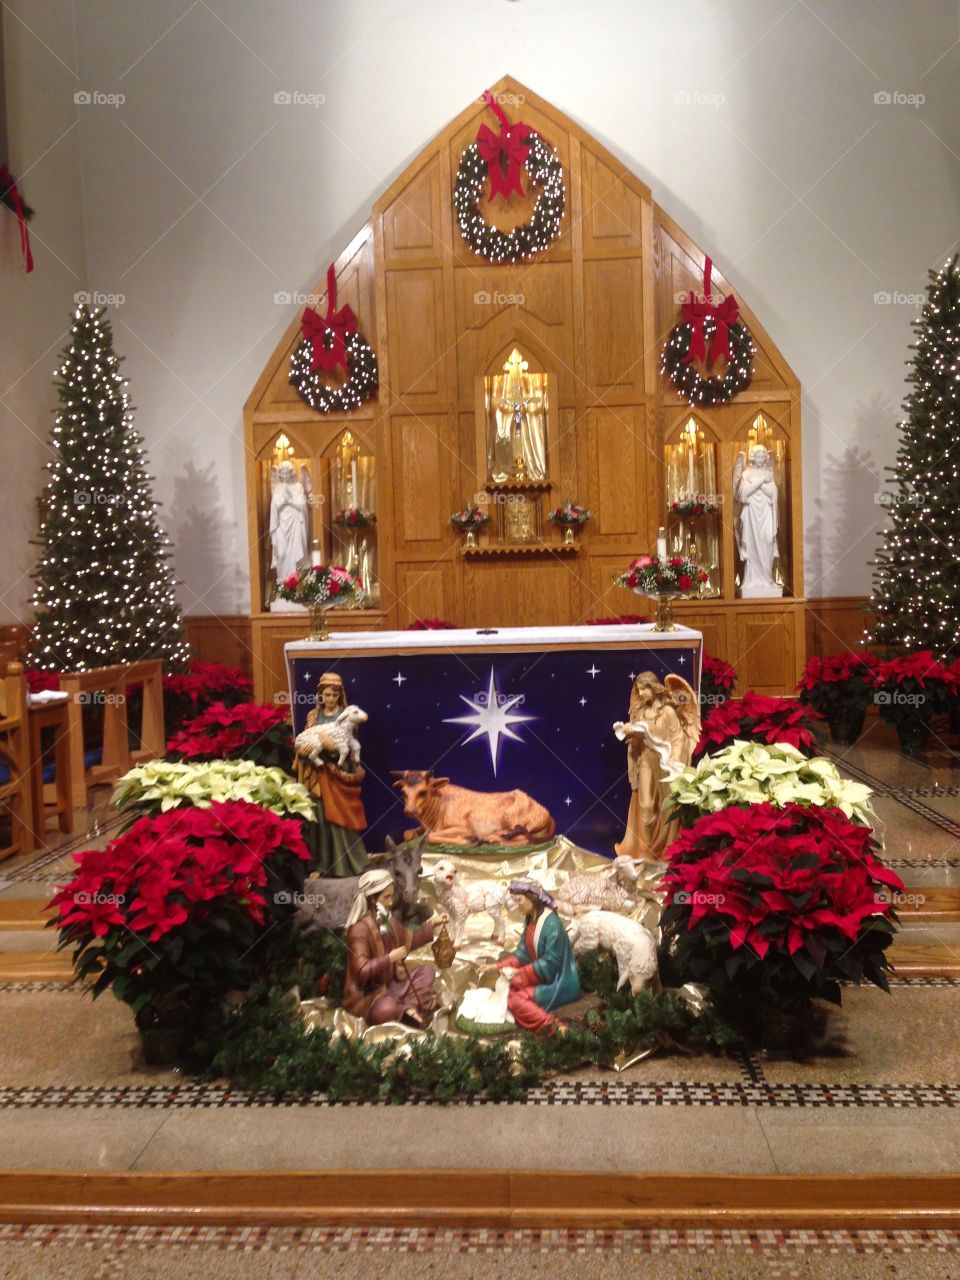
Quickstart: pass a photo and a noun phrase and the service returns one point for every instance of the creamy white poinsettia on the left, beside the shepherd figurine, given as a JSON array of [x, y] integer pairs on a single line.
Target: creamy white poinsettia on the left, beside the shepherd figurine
[[164, 785]]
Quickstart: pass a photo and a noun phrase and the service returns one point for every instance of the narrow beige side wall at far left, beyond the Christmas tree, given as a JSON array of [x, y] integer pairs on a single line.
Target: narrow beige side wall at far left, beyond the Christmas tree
[[40, 57]]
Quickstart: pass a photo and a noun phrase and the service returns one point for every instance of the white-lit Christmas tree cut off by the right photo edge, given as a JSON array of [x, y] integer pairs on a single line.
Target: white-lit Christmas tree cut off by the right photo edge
[[917, 579]]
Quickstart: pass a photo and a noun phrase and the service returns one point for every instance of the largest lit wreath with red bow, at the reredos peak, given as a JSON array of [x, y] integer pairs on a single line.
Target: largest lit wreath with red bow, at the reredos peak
[[504, 157]]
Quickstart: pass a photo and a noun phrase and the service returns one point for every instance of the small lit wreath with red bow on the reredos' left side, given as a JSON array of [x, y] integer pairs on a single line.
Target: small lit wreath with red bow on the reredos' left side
[[331, 342]]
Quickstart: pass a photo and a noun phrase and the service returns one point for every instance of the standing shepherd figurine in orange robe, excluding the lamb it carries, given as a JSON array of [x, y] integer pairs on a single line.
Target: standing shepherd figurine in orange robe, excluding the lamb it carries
[[336, 839]]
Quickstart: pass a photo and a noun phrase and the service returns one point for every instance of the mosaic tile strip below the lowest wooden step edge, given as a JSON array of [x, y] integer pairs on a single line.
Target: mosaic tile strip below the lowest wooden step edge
[[764, 1244]]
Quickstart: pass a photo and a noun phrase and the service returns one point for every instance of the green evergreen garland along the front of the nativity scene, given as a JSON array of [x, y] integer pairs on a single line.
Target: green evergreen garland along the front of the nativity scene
[[260, 1044]]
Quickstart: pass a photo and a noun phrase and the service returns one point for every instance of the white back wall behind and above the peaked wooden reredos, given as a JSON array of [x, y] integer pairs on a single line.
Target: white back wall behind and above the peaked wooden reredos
[[203, 198]]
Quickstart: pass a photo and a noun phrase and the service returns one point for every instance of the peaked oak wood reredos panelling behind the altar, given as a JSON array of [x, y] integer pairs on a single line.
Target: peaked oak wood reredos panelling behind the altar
[[593, 312]]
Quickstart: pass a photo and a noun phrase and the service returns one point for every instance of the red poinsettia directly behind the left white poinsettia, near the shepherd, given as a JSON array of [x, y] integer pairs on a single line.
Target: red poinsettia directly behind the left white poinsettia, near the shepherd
[[248, 732]]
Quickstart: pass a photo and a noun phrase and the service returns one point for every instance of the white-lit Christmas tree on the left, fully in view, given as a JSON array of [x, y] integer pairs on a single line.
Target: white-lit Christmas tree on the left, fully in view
[[106, 588]]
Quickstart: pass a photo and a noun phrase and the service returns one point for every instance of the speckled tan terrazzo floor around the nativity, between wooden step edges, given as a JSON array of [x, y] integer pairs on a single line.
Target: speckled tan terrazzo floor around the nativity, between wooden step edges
[[877, 1092]]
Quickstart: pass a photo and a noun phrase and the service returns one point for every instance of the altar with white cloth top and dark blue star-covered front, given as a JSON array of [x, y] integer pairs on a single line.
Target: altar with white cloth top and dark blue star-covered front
[[497, 710]]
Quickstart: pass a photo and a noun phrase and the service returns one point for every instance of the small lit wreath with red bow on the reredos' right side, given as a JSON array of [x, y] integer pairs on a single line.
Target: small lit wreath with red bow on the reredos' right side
[[687, 351]]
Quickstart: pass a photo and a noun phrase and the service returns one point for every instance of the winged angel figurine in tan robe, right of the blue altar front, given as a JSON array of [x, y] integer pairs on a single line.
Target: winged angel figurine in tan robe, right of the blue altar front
[[661, 737]]
